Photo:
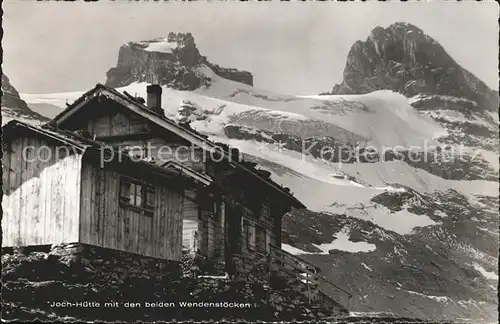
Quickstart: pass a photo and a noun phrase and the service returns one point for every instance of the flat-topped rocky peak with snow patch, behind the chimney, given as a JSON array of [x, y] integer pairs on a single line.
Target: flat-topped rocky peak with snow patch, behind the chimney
[[173, 64]]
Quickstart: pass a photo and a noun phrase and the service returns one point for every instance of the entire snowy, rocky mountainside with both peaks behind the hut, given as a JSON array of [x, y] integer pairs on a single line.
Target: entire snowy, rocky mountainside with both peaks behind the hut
[[411, 230]]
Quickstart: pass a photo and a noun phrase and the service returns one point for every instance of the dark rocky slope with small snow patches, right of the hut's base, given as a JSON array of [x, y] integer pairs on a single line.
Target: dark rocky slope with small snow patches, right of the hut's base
[[446, 271]]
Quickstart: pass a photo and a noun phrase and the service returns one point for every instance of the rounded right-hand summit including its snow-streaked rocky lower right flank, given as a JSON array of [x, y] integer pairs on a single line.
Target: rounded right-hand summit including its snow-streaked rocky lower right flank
[[402, 58]]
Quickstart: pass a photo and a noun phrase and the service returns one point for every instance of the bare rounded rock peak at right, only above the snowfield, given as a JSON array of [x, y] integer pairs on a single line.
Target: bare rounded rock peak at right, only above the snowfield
[[404, 59]]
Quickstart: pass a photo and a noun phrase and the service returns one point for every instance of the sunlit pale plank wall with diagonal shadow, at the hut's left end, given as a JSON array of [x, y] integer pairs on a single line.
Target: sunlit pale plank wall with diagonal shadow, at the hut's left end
[[41, 194]]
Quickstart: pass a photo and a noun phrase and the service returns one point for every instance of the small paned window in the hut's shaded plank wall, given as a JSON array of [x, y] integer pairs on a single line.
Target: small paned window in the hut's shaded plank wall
[[136, 193]]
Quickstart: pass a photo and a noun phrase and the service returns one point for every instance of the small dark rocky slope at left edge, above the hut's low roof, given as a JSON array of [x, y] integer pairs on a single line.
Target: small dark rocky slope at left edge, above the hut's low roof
[[14, 107]]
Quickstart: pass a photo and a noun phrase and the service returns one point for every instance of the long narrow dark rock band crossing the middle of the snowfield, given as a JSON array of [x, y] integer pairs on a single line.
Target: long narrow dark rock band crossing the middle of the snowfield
[[440, 161]]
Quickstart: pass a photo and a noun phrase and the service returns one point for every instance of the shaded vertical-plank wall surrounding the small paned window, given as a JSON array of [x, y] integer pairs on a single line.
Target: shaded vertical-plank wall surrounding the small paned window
[[106, 223]]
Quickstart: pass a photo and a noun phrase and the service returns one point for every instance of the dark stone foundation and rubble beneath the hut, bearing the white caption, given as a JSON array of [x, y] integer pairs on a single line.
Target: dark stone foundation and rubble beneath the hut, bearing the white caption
[[75, 282]]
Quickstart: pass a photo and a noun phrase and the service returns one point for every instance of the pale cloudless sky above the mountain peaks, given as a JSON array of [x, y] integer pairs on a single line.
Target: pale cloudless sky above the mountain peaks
[[292, 48]]
